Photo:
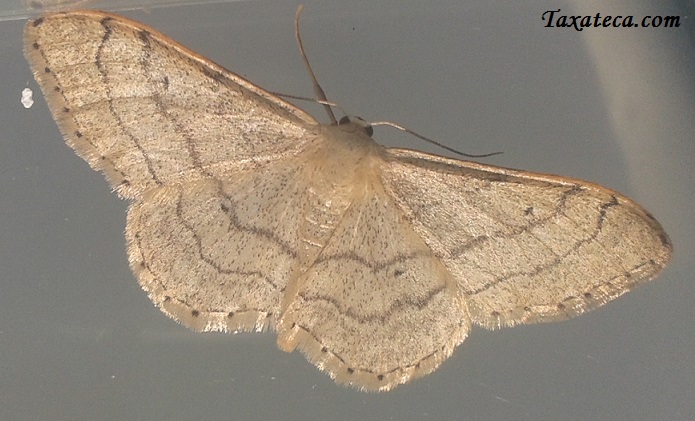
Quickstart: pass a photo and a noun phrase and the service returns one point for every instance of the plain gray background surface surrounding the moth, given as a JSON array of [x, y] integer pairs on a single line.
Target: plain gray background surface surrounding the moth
[[80, 340]]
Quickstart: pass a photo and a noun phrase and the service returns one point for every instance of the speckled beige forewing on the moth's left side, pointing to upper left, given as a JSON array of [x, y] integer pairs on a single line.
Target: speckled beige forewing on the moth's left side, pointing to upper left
[[149, 112]]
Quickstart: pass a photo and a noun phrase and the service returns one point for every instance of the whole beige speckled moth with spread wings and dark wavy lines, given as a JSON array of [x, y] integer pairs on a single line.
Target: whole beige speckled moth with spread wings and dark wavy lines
[[248, 215]]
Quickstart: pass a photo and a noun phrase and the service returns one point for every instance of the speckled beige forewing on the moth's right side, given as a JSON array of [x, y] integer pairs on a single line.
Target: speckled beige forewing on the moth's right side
[[526, 247]]
